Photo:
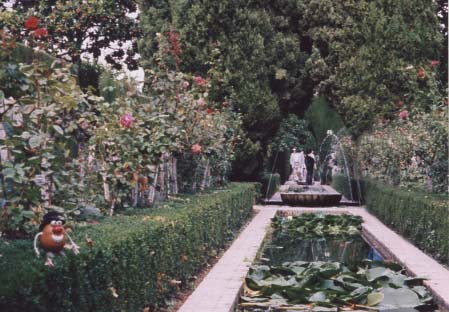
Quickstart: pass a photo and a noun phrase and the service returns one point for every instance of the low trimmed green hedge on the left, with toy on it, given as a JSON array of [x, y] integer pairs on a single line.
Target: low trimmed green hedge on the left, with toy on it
[[126, 263]]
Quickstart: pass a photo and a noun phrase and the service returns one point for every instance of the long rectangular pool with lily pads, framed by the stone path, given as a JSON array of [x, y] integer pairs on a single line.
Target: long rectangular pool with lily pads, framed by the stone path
[[300, 271]]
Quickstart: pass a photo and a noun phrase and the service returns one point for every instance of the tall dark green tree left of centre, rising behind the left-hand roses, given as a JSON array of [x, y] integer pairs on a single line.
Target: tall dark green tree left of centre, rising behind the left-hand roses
[[254, 49]]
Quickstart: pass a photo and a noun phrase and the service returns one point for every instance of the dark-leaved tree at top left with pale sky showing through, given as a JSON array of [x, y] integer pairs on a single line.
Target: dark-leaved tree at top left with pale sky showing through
[[84, 28]]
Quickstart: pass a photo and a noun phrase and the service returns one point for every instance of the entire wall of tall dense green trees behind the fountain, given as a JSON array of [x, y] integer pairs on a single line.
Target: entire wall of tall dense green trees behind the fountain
[[364, 56]]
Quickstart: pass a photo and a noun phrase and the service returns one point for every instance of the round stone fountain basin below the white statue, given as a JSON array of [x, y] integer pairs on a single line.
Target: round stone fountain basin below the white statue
[[311, 196]]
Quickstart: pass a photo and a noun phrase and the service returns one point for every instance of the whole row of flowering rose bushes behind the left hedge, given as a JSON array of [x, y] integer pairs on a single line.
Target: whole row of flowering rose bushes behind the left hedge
[[63, 148]]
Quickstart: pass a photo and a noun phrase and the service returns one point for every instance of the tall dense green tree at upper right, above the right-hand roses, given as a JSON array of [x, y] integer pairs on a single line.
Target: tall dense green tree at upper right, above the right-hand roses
[[368, 55]]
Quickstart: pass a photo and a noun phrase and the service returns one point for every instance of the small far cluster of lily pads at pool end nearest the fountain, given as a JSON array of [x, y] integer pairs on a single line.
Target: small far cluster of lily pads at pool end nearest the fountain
[[310, 225]]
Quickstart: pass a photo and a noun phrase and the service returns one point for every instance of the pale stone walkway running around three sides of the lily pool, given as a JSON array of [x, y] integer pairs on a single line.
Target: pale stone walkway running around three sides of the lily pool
[[220, 289]]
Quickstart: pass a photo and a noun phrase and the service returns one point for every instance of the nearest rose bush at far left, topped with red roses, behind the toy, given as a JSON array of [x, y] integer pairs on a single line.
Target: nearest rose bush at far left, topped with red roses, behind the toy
[[44, 115]]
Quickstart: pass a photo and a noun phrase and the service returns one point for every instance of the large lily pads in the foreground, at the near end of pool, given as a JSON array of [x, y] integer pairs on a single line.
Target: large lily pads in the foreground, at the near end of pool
[[332, 286]]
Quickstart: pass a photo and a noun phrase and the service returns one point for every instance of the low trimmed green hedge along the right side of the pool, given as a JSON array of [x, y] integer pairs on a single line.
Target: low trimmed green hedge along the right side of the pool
[[420, 217]]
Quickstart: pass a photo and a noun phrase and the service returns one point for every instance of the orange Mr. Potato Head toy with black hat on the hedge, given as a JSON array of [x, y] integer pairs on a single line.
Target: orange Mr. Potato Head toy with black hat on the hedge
[[52, 237]]
